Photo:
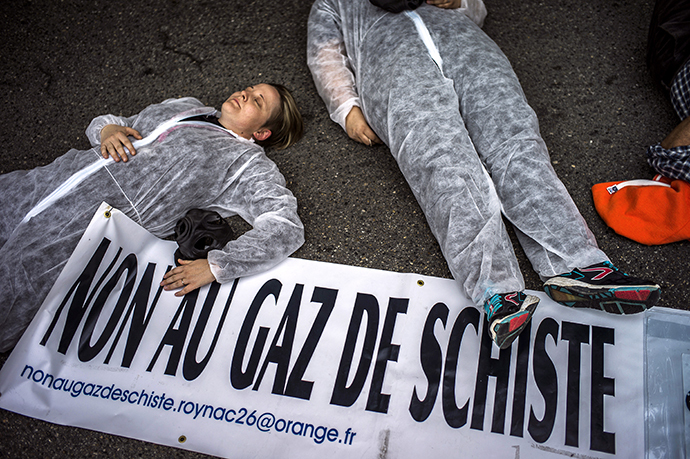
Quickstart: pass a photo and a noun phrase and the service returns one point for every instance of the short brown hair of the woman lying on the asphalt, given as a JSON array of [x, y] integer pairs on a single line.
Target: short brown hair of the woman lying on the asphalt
[[286, 124]]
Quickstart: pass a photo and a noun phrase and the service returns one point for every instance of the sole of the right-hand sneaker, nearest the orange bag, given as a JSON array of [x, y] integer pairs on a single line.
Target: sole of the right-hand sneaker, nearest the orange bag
[[614, 299]]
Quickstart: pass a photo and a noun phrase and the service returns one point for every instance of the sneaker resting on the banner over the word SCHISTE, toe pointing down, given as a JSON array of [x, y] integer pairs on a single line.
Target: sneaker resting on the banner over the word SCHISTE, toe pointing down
[[508, 314]]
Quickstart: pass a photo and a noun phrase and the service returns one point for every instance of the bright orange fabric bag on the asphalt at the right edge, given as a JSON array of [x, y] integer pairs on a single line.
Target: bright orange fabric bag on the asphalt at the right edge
[[651, 212]]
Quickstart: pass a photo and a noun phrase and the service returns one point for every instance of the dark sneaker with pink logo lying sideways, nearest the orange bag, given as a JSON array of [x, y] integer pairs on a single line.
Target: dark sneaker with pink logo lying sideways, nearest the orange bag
[[603, 286]]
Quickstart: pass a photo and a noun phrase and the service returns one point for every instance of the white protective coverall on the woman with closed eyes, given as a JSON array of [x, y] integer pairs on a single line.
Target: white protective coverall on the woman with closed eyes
[[188, 166]]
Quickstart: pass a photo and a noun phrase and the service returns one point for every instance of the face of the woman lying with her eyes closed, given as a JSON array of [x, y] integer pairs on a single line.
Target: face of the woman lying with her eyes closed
[[247, 112]]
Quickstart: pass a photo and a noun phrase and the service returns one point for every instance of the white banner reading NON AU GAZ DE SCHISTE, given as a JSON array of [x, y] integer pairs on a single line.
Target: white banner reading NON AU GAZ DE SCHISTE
[[316, 360]]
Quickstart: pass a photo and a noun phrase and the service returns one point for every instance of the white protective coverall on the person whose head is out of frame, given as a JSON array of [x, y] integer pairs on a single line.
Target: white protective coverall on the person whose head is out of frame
[[447, 124]]
